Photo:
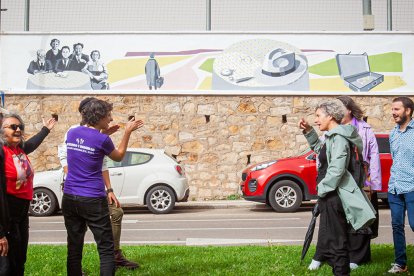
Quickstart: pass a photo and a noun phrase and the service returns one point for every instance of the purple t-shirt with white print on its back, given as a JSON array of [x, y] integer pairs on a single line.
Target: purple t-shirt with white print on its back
[[86, 148]]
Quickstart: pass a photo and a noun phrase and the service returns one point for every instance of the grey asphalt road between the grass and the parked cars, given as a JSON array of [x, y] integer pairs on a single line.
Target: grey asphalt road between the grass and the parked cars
[[207, 226]]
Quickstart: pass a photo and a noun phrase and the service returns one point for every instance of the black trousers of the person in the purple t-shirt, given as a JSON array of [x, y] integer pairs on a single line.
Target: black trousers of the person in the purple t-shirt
[[79, 212]]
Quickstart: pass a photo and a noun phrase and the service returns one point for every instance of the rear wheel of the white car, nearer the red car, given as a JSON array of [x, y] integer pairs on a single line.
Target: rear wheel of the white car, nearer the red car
[[160, 200]]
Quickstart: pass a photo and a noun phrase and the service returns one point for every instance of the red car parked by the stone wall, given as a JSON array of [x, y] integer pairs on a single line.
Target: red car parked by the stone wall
[[285, 183]]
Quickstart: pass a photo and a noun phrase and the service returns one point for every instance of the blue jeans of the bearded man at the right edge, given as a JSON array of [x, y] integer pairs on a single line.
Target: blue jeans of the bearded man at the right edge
[[399, 204]]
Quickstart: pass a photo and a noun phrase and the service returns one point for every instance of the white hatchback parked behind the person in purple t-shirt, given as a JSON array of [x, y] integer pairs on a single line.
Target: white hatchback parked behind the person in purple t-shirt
[[144, 177]]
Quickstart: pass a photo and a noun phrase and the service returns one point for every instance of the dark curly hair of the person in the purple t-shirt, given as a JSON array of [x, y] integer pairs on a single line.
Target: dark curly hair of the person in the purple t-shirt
[[94, 111]]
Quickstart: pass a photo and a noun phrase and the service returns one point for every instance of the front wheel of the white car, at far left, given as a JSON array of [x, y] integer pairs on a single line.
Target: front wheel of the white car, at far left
[[43, 204]]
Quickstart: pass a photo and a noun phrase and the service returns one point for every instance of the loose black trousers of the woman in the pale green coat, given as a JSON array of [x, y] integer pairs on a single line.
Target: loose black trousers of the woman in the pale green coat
[[332, 244]]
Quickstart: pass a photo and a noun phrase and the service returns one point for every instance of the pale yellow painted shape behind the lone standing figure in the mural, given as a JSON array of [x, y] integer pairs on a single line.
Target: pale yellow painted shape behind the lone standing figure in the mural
[[122, 69]]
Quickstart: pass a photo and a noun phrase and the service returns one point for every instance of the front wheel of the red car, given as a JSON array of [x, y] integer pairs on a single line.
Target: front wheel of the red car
[[285, 196]]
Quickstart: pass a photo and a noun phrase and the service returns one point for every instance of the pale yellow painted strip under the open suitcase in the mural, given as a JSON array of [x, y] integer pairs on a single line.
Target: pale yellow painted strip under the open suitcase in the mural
[[337, 84]]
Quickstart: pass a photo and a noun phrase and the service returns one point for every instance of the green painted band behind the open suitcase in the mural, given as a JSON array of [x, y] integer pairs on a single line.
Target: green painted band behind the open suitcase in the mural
[[387, 62]]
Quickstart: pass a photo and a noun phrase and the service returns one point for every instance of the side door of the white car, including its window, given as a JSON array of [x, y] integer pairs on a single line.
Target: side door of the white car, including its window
[[136, 168]]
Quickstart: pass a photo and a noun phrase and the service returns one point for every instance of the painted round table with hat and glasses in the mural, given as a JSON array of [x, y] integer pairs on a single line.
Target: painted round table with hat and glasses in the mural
[[261, 64]]
